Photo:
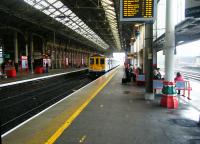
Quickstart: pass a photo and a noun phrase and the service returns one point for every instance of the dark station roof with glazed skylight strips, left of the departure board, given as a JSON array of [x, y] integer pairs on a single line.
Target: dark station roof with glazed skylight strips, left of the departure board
[[92, 22]]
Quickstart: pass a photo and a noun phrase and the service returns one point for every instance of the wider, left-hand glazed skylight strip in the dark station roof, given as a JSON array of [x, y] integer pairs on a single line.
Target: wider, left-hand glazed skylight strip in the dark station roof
[[61, 13]]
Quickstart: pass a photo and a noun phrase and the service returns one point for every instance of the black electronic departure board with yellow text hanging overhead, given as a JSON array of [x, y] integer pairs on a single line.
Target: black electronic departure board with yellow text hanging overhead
[[137, 10]]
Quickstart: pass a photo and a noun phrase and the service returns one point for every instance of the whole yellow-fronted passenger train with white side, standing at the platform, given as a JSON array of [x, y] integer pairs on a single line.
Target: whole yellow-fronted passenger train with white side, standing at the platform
[[99, 65]]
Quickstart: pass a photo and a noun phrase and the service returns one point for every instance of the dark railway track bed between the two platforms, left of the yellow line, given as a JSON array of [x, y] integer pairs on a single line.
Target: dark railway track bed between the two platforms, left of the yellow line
[[19, 103]]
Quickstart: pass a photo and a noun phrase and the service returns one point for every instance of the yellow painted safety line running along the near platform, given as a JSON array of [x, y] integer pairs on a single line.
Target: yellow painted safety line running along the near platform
[[76, 113]]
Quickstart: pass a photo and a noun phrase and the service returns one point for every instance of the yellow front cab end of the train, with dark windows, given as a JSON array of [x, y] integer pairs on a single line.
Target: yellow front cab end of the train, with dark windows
[[97, 66]]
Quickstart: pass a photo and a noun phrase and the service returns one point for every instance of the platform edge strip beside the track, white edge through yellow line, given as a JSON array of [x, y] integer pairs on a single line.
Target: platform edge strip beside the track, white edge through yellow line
[[39, 129]]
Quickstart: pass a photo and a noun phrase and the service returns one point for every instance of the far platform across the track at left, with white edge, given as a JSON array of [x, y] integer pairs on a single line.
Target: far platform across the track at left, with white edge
[[31, 76]]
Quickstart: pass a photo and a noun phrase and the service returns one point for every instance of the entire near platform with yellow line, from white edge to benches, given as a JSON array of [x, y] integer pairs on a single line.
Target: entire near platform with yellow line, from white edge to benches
[[107, 112]]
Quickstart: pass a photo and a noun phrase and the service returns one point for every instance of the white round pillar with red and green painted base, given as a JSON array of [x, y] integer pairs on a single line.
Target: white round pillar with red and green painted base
[[169, 98]]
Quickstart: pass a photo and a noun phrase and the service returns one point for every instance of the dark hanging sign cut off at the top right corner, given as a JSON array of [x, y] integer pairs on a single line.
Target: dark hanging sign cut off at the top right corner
[[192, 8]]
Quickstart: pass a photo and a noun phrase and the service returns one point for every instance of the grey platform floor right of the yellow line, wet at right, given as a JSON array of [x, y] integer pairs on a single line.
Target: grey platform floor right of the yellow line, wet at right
[[120, 115]]
